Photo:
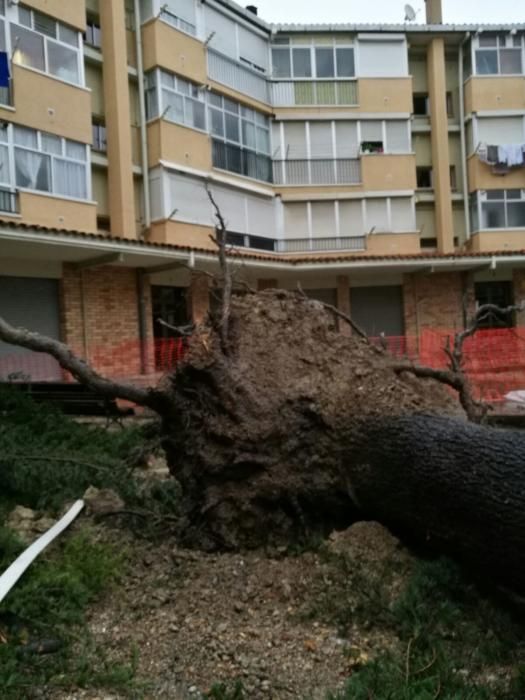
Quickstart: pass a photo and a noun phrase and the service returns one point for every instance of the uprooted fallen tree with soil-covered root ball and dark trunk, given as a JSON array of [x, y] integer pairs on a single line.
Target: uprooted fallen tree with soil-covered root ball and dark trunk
[[296, 429]]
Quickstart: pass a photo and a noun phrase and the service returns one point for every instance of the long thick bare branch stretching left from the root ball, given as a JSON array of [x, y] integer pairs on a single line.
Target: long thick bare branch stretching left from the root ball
[[79, 369]]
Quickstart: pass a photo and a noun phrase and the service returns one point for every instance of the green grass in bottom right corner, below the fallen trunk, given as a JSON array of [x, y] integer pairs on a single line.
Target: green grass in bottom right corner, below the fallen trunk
[[448, 636]]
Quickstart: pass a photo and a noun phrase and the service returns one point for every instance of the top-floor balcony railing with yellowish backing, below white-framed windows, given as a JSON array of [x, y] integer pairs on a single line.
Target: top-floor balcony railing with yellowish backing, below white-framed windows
[[315, 93]]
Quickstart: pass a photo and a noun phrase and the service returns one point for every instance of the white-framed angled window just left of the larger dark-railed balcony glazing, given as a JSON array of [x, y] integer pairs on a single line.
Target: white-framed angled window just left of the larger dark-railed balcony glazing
[[175, 99]]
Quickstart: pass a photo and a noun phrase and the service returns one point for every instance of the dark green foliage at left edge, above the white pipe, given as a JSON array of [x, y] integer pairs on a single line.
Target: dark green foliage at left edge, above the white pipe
[[48, 459]]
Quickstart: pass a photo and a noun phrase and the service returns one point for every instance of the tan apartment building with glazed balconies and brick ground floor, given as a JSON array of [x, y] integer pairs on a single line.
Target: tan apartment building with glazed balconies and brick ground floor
[[381, 167]]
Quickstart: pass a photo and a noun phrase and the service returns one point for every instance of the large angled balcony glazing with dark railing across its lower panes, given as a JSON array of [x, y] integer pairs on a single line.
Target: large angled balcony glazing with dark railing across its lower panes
[[241, 138]]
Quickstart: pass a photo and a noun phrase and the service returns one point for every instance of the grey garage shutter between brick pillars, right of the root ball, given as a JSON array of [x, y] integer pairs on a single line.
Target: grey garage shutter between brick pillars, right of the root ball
[[378, 310]]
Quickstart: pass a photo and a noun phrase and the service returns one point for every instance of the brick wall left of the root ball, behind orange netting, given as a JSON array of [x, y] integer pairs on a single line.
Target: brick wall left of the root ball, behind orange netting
[[100, 319]]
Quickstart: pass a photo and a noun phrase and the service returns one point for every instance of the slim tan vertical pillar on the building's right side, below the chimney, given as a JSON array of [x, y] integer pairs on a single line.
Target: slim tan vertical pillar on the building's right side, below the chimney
[[440, 145]]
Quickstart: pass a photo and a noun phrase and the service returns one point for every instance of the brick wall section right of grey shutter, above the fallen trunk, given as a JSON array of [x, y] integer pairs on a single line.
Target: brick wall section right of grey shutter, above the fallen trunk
[[436, 301]]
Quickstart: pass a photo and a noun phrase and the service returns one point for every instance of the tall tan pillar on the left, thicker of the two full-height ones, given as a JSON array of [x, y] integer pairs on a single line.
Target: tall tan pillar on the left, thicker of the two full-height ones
[[118, 119]]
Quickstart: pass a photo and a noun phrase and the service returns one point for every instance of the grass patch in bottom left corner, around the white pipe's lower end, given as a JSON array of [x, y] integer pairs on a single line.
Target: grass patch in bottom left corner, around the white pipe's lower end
[[49, 603]]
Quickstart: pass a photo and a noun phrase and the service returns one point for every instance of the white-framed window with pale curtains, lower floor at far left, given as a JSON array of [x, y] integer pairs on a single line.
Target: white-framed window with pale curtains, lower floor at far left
[[50, 163]]
